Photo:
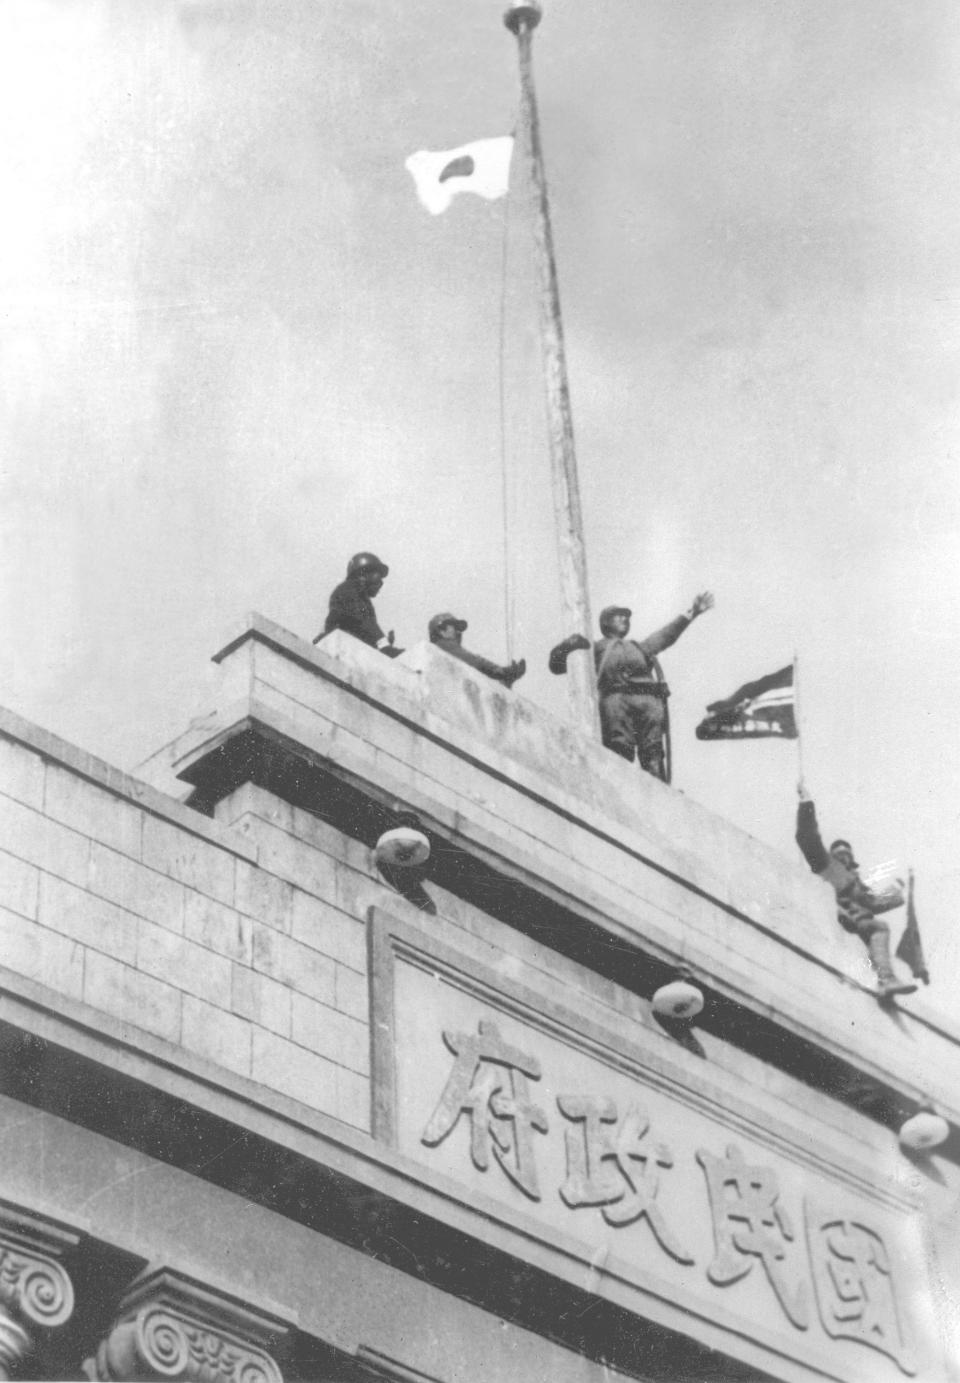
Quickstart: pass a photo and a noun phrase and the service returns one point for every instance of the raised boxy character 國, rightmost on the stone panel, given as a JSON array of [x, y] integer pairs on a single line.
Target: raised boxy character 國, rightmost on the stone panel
[[856, 1285]]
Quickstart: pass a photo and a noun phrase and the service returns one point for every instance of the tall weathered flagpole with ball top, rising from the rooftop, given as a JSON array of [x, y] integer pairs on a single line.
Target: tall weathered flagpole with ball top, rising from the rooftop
[[522, 20]]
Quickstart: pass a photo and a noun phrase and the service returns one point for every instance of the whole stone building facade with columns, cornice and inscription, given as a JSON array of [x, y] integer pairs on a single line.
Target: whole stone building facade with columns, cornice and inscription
[[269, 1114]]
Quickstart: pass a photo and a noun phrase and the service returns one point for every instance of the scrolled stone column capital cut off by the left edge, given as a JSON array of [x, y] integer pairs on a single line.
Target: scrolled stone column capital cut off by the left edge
[[37, 1294]]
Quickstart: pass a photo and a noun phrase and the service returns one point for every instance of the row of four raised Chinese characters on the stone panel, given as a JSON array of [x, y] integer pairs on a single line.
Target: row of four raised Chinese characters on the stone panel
[[662, 1187]]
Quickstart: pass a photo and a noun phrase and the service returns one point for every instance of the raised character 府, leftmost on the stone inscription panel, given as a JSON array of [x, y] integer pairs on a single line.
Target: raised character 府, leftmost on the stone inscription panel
[[489, 1084]]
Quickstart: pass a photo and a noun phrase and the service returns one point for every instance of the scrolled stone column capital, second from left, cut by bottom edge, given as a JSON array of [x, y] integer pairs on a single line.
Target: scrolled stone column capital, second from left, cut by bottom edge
[[172, 1327]]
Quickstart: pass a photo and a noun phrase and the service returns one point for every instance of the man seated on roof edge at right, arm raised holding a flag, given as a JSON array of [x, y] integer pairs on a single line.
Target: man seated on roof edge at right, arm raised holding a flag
[[857, 905]]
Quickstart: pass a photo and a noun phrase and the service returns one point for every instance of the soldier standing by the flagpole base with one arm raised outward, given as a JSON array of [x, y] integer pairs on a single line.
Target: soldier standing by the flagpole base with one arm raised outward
[[633, 695]]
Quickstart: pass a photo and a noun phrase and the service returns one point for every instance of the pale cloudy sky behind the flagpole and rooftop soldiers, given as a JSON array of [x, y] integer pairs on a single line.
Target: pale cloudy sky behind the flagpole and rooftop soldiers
[[236, 349]]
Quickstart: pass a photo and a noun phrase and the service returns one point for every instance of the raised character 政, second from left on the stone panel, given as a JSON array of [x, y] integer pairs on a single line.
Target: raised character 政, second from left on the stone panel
[[609, 1167]]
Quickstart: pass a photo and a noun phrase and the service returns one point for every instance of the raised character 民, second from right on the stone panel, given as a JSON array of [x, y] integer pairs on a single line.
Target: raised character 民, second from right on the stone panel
[[750, 1225]]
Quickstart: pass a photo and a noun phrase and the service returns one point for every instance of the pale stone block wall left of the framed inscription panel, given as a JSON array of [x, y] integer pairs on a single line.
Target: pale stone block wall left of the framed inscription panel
[[247, 954]]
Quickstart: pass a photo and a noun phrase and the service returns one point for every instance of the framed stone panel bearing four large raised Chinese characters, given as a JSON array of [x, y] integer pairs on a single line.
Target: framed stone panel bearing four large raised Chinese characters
[[568, 1132]]
